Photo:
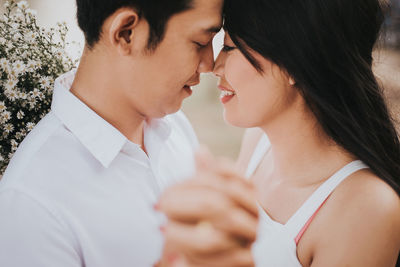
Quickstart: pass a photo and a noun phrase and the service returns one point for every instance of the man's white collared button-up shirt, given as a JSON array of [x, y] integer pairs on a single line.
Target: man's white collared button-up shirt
[[78, 193]]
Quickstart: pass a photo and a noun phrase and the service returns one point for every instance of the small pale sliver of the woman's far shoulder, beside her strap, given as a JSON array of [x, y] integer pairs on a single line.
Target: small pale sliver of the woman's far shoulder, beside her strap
[[249, 143]]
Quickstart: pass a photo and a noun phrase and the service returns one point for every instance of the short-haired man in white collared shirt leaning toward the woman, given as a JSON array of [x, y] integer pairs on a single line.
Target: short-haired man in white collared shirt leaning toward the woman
[[80, 189]]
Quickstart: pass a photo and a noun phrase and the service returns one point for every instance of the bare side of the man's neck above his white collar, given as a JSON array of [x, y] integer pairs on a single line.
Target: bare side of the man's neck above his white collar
[[95, 86]]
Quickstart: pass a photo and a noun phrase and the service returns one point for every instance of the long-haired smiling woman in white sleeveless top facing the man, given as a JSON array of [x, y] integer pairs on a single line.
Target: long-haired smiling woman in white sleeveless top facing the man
[[327, 176]]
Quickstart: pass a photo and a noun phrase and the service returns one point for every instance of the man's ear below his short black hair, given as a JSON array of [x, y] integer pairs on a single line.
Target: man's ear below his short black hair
[[122, 29]]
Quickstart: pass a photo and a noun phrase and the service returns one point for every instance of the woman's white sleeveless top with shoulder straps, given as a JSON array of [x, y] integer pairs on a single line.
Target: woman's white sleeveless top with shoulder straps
[[275, 245]]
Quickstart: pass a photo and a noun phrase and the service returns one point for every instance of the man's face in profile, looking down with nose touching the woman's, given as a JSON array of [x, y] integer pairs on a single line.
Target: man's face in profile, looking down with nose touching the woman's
[[156, 82]]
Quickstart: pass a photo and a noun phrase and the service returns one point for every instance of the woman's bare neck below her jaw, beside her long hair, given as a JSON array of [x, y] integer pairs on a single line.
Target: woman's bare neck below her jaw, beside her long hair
[[301, 153]]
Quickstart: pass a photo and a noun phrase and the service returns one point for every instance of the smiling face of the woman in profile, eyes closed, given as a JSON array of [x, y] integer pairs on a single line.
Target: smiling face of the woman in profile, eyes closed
[[251, 98]]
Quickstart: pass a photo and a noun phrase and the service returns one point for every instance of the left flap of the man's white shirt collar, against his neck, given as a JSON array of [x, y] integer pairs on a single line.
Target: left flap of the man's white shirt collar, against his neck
[[102, 139]]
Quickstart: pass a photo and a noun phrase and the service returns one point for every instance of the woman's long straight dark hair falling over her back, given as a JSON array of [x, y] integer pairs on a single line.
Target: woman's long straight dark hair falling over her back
[[326, 47]]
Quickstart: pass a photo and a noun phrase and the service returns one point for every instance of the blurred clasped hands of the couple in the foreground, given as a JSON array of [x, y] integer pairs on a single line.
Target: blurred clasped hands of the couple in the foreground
[[212, 218]]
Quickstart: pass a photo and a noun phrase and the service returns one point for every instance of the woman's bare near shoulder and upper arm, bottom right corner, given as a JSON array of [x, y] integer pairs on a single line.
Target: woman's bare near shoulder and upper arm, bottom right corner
[[360, 223]]
